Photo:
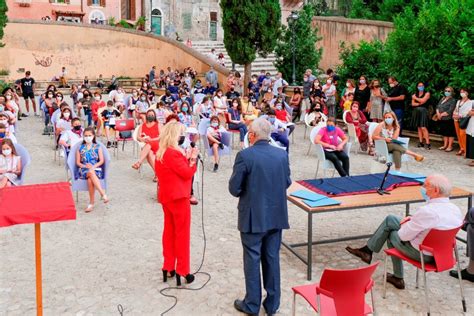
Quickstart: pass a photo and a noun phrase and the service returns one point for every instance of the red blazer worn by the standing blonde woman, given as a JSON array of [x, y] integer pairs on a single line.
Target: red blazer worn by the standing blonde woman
[[174, 176]]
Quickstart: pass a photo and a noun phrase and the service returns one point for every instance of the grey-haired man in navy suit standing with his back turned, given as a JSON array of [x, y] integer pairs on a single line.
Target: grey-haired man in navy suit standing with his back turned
[[260, 178]]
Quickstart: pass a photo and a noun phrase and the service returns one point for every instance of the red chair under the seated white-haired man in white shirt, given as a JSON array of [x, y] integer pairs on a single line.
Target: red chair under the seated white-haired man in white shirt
[[440, 243]]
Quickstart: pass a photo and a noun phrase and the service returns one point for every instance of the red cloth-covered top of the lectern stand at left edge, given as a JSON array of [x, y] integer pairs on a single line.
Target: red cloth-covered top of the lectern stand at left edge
[[36, 203]]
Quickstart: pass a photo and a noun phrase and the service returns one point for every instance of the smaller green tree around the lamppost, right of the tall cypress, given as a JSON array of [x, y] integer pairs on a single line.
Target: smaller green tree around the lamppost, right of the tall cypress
[[307, 56]]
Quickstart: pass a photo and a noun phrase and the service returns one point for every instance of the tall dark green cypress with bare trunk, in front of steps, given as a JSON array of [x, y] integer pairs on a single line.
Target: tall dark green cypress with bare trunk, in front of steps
[[250, 28]]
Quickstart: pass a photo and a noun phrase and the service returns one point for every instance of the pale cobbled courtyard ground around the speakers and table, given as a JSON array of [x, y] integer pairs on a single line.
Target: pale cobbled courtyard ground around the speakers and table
[[113, 255]]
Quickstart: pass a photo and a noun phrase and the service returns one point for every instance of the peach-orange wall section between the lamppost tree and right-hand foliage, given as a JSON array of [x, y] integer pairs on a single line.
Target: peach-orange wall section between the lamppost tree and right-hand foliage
[[335, 30]]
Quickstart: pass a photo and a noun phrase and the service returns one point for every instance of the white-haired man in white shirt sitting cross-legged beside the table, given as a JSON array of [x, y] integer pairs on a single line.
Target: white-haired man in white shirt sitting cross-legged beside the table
[[408, 233]]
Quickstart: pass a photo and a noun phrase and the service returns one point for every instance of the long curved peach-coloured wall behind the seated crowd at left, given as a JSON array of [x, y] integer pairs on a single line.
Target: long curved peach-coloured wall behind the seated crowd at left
[[44, 47]]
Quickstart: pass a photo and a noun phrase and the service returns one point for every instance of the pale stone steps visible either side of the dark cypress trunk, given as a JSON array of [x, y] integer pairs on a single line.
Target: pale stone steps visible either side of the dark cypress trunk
[[204, 47]]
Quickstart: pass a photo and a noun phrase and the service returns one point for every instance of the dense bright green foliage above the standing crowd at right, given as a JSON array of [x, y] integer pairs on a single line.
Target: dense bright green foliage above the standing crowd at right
[[434, 46]]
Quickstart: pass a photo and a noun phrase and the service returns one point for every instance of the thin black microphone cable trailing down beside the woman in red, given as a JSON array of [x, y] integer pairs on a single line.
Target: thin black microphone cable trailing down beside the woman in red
[[198, 271]]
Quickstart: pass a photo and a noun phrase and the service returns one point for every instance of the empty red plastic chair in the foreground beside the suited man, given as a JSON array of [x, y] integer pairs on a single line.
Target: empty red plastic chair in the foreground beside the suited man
[[340, 292]]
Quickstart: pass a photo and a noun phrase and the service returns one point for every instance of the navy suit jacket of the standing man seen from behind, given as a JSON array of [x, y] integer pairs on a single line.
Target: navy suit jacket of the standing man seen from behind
[[260, 178]]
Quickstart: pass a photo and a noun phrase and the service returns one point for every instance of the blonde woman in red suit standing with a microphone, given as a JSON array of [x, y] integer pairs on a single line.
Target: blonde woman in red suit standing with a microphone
[[175, 170]]
